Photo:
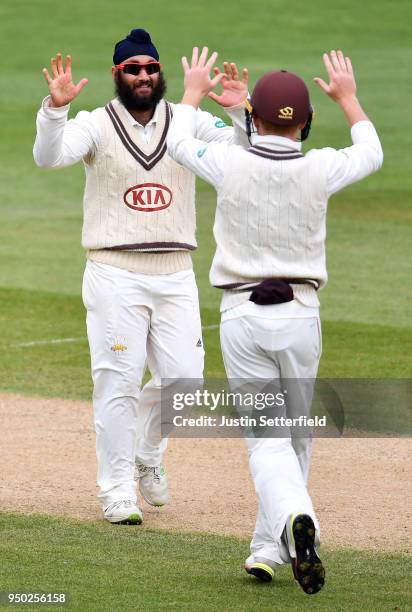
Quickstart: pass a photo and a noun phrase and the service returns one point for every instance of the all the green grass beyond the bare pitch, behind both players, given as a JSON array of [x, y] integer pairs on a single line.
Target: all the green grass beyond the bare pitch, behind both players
[[366, 309]]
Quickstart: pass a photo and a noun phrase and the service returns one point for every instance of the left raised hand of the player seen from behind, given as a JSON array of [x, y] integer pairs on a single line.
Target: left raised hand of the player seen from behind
[[197, 81]]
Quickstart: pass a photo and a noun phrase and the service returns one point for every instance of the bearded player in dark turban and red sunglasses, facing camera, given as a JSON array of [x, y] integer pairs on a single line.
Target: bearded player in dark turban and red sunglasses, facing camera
[[139, 287]]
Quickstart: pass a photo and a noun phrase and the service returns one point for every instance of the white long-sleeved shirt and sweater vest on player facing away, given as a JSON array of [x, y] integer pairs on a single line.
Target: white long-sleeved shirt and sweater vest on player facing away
[[271, 214]]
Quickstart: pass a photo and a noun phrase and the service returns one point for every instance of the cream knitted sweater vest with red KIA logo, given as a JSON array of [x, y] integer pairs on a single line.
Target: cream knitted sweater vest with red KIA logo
[[137, 199]]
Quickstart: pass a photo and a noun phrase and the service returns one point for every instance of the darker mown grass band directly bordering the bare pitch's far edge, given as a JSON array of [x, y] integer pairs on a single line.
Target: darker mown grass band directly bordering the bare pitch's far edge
[[63, 370]]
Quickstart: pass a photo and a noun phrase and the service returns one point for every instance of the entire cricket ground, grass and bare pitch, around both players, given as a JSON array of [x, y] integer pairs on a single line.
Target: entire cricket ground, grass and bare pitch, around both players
[[188, 555]]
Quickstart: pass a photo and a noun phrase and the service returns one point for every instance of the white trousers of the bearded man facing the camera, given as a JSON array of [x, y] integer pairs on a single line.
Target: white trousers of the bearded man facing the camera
[[134, 319]]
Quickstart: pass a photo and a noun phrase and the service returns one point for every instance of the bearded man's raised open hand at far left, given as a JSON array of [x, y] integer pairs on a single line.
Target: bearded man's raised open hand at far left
[[61, 86]]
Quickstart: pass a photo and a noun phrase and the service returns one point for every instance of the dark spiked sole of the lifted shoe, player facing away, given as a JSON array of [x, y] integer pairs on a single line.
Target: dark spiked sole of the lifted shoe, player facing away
[[307, 567]]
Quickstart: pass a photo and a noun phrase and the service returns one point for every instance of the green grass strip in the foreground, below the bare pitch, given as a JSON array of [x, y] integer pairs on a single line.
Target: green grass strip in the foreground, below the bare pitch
[[105, 567]]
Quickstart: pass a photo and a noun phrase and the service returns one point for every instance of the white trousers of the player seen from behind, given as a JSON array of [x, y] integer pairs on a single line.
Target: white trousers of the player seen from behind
[[268, 348]]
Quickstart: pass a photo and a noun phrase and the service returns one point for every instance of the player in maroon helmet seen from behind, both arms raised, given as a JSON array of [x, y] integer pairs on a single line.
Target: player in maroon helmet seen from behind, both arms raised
[[270, 229]]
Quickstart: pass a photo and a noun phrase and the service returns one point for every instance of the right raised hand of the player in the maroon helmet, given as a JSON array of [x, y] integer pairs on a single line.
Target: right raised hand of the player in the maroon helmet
[[342, 81]]
